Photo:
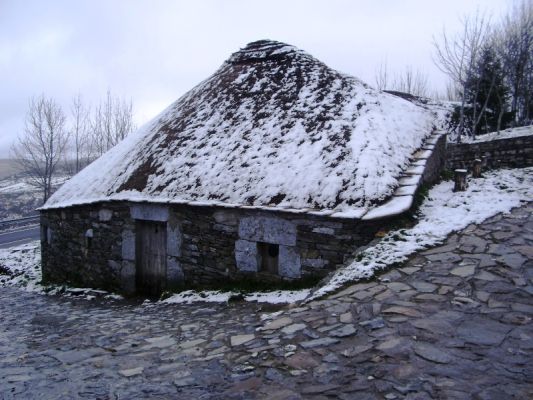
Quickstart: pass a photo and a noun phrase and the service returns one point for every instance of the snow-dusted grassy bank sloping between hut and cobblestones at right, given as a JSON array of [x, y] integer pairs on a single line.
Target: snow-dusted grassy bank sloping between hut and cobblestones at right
[[442, 213]]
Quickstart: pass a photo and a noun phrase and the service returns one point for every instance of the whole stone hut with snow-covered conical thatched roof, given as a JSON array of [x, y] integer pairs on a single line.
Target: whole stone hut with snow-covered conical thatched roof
[[275, 167]]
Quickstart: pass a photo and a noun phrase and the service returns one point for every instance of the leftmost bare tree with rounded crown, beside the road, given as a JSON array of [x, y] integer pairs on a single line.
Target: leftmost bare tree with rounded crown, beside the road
[[43, 144]]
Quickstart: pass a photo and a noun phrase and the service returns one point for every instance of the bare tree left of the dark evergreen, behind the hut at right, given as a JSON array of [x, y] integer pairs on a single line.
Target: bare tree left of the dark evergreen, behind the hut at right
[[456, 56]]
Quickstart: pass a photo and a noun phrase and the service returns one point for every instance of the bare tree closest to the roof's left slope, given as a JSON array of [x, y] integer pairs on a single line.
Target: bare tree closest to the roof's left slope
[[112, 121]]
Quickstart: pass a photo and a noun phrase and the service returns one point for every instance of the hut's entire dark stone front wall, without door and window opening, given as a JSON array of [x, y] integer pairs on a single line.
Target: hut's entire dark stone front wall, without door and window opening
[[94, 245]]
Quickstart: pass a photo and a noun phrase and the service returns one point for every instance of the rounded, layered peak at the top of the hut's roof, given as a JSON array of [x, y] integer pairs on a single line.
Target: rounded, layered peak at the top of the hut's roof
[[263, 50]]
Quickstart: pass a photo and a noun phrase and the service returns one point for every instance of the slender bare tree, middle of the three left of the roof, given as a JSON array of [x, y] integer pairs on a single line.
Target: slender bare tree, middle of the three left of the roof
[[79, 133]]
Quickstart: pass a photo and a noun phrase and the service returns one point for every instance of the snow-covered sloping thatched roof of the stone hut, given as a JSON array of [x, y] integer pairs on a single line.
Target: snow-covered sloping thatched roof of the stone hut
[[273, 127]]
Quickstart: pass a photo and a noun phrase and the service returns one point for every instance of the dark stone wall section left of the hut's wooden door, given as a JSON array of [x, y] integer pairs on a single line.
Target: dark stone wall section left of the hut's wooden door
[[83, 245]]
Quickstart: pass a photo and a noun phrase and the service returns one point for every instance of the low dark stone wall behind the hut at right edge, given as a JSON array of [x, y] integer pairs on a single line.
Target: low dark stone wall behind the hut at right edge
[[513, 152]]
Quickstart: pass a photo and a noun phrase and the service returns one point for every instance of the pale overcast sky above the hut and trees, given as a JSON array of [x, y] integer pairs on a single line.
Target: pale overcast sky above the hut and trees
[[154, 51]]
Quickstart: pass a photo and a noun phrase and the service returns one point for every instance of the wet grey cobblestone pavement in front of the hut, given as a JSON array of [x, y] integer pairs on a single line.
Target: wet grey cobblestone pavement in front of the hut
[[454, 323]]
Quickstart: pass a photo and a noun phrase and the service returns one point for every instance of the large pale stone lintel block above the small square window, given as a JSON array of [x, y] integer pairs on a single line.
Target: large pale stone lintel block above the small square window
[[268, 229]]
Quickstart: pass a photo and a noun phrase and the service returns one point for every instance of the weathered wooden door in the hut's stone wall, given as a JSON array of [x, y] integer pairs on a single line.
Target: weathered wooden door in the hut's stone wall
[[151, 257]]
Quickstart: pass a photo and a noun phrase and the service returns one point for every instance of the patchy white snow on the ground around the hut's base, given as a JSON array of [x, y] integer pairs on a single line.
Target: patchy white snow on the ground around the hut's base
[[441, 213]]
